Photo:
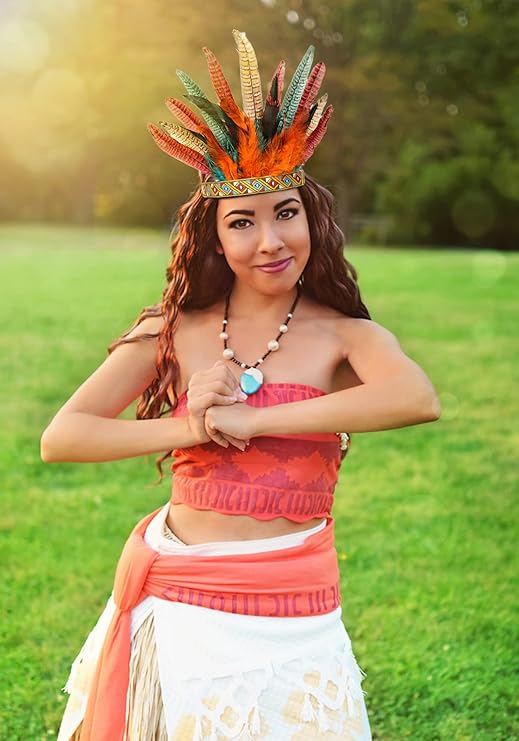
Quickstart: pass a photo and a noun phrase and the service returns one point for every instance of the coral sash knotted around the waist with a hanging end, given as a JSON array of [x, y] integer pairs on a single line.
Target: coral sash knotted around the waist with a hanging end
[[301, 580]]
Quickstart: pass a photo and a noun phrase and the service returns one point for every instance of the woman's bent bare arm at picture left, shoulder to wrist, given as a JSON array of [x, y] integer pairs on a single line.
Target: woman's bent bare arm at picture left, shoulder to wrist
[[85, 429]]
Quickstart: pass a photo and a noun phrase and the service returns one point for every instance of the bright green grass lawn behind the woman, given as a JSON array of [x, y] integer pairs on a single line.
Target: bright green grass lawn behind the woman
[[425, 515]]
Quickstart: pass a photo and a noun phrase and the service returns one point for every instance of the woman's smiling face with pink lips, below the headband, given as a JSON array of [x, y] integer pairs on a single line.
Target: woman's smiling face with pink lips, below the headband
[[255, 231]]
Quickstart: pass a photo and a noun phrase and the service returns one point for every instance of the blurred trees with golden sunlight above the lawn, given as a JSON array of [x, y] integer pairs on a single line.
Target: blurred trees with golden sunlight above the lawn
[[422, 147]]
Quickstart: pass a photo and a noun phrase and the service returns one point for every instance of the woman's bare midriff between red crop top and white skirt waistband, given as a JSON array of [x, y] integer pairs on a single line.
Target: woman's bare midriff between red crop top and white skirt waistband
[[195, 526]]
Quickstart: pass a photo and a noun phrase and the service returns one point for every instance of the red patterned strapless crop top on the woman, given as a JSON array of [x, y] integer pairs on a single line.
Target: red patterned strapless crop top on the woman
[[292, 476]]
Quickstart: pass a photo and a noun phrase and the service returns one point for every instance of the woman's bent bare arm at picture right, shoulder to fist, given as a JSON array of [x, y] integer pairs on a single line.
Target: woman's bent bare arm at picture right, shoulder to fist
[[395, 392]]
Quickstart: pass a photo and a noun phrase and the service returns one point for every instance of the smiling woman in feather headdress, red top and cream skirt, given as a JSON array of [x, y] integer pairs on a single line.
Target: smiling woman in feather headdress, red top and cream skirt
[[225, 619]]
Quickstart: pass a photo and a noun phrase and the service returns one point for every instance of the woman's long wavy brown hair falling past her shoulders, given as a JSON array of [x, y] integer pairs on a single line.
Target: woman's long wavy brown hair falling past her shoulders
[[198, 277]]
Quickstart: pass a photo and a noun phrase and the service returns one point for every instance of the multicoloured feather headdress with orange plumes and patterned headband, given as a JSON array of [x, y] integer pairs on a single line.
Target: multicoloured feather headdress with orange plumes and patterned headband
[[260, 149]]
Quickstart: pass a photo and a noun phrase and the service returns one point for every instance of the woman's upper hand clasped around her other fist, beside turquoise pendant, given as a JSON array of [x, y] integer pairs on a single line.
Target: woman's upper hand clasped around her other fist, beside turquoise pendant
[[217, 385]]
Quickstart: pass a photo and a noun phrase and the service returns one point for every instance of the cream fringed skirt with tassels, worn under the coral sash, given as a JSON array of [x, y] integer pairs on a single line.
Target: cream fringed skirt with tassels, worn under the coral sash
[[198, 674]]
